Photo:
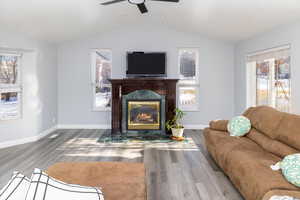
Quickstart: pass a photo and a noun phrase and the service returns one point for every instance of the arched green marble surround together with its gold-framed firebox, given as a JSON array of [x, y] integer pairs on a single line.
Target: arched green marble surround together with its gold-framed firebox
[[143, 112]]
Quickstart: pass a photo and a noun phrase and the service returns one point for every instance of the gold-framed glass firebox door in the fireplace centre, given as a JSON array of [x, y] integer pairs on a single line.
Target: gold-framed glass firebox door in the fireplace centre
[[143, 115]]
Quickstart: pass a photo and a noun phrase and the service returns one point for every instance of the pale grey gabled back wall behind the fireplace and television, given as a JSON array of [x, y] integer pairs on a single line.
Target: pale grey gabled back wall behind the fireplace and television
[[74, 82]]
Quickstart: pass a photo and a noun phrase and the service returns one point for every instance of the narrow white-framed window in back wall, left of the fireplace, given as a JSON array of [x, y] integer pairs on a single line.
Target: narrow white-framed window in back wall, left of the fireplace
[[101, 72]]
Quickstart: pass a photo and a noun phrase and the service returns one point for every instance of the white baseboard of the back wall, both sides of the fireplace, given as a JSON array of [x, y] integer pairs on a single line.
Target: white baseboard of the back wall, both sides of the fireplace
[[108, 126]]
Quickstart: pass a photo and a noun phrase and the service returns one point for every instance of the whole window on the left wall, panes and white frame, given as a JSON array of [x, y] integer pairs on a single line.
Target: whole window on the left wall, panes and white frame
[[10, 87]]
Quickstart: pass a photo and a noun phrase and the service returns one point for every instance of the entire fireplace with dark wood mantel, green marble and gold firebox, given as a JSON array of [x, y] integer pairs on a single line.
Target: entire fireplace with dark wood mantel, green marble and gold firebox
[[142, 105]]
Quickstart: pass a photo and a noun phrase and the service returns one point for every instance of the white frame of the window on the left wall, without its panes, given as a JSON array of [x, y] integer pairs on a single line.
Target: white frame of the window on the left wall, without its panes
[[18, 87]]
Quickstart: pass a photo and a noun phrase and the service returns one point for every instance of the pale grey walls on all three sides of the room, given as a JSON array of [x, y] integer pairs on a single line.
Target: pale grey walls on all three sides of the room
[[222, 74]]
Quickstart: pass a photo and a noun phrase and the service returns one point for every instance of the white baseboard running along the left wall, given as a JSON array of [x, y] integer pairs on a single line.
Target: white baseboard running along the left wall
[[28, 139]]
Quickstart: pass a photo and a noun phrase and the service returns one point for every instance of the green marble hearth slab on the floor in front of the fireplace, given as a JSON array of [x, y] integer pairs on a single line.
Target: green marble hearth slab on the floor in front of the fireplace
[[107, 137]]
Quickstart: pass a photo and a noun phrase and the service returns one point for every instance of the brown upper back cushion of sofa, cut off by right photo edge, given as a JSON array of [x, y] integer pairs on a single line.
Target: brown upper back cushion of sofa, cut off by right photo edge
[[289, 130]]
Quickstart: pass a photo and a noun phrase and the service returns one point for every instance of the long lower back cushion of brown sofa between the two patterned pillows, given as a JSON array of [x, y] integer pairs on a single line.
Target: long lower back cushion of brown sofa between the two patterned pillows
[[273, 146]]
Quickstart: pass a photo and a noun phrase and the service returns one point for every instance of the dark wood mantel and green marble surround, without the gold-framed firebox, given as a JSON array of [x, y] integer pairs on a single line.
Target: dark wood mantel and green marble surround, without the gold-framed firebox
[[164, 89]]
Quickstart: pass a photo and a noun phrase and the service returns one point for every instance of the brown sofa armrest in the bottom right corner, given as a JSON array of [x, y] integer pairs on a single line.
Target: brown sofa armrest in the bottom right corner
[[277, 193]]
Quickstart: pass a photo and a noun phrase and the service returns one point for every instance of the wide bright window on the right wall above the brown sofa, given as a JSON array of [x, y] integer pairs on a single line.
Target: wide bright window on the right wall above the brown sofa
[[269, 78]]
